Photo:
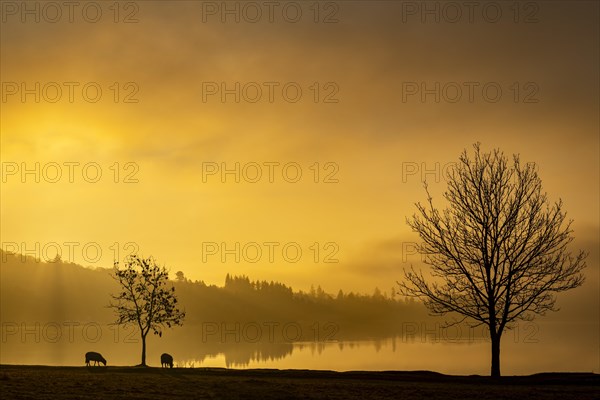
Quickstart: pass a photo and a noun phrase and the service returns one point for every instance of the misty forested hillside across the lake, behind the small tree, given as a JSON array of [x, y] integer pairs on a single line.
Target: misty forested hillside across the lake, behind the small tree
[[61, 291]]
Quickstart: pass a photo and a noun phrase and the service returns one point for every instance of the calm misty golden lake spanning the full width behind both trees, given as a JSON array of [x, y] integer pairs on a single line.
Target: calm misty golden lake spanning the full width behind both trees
[[528, 350]]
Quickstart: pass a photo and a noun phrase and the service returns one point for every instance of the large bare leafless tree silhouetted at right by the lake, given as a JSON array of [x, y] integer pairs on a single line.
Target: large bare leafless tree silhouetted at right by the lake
[[498, 252]]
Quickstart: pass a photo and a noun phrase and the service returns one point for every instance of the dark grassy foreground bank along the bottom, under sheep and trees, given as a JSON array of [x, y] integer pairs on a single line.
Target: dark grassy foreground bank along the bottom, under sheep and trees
[[42, 382]]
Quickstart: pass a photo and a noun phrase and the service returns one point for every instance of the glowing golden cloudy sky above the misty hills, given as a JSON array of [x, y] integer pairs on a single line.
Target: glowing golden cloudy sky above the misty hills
[[363, 126]]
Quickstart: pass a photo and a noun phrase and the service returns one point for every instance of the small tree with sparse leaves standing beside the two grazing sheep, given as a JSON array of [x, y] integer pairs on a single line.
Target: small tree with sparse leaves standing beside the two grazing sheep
[[144, 300]]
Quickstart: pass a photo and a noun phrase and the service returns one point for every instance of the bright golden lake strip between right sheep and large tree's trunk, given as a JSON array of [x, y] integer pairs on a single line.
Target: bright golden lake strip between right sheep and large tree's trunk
[[381, 354]]
